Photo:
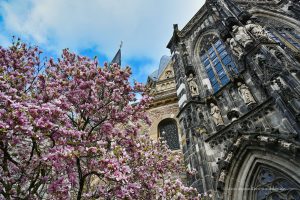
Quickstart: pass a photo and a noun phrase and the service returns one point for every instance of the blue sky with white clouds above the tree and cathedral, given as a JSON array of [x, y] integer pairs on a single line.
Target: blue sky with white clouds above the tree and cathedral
[[97, 27]]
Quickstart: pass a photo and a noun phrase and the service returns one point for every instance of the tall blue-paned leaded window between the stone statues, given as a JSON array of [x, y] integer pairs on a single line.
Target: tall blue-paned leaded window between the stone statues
[[218, 65]]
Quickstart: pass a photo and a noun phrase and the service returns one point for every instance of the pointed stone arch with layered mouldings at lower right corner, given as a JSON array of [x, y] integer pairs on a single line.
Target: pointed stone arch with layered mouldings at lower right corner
[[250, 160]]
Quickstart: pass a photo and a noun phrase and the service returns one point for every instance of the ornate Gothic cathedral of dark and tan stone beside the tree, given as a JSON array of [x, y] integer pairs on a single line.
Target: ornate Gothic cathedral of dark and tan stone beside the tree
[[228, 97]]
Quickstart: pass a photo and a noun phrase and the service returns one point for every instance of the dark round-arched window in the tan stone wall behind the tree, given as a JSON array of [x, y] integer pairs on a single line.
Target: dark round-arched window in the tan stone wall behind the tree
[[167, 130]]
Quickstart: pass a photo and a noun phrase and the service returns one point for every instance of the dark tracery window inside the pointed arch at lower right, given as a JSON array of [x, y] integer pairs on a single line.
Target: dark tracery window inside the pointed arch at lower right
[[271, 184]]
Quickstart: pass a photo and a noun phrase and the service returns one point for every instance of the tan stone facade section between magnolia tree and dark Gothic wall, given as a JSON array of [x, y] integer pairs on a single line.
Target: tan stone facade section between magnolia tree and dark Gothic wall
[[164, 107]]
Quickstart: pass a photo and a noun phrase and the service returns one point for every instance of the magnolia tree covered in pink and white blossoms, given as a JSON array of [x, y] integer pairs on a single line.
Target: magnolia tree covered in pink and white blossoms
[[68, 130]]
